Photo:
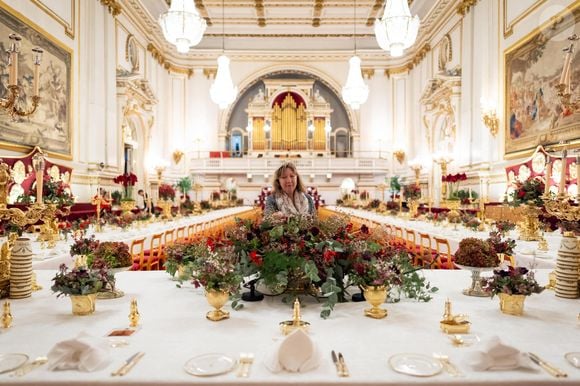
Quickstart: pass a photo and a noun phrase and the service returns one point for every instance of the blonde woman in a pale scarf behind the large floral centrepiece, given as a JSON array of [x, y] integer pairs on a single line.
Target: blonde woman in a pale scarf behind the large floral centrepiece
[[289, 197]]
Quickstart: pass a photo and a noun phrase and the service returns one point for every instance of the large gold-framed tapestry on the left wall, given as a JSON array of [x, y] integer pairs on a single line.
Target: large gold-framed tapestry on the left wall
[[50, 127]]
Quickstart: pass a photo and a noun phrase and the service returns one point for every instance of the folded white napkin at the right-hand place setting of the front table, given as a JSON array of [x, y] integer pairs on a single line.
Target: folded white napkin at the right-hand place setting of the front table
[[497, 356]]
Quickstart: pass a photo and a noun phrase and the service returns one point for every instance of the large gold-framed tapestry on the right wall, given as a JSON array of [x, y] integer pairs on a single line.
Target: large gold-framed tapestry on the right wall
[[533, 66]]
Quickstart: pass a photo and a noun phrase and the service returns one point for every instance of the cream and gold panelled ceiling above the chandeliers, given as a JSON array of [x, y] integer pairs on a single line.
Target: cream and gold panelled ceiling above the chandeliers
[[281, 26]]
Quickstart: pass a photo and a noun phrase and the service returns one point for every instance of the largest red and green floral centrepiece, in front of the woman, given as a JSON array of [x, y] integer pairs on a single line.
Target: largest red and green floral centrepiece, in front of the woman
[[300, 254]]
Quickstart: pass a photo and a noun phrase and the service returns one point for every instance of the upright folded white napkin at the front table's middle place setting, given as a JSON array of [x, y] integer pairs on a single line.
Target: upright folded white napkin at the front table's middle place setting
[[296, 354]]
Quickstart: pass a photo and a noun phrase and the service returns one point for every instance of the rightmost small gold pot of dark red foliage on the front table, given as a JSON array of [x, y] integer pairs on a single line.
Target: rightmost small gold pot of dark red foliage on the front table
[[512, 285]]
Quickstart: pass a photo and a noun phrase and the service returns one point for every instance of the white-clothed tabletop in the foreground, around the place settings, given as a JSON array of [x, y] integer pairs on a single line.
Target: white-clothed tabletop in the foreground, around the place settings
[[174, 329]]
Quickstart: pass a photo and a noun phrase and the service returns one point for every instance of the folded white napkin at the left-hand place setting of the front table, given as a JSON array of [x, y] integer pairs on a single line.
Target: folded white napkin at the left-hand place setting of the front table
[[84, 353]]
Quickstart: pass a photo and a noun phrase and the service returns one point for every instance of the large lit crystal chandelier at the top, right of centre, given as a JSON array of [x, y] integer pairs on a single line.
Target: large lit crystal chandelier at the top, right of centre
[[397, 30]]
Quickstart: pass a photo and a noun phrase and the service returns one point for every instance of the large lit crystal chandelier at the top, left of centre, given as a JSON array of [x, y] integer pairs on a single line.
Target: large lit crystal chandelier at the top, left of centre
[[182, 26]]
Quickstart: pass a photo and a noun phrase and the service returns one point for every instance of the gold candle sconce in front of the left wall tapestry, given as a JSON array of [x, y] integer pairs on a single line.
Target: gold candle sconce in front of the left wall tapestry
[[10, 102]]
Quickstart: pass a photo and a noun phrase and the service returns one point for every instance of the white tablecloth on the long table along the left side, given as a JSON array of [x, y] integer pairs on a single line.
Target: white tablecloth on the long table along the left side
[[52, 258]]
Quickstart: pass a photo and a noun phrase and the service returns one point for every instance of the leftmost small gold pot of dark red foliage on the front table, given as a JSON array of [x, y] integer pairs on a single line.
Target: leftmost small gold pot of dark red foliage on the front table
[[82, 285]]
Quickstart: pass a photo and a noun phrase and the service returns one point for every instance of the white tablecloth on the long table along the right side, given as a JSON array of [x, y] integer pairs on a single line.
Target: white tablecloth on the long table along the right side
[[526, 252]]
